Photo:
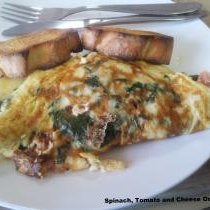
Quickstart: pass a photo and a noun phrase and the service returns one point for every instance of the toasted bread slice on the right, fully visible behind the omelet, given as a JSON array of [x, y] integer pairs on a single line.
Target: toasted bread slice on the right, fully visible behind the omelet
[[128, 44]]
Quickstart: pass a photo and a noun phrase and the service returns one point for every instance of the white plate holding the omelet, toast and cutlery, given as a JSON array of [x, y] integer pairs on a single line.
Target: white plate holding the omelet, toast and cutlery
[[153, 167]]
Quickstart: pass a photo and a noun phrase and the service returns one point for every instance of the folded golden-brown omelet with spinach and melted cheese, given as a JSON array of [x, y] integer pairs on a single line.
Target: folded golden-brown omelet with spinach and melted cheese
[[63, 118]]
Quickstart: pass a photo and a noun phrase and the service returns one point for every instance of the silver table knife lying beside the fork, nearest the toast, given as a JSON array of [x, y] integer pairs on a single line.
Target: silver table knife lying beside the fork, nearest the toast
[[78, 24]]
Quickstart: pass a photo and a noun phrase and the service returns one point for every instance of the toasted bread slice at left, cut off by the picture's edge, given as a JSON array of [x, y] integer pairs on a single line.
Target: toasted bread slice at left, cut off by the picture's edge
[[40, 50]]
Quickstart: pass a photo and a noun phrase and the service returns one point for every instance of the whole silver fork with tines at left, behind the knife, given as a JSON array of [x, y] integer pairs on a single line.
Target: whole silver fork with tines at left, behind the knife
[[21, 14]]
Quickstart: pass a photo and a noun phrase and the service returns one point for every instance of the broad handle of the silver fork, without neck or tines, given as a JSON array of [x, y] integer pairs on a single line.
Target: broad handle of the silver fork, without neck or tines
[[153, 9]]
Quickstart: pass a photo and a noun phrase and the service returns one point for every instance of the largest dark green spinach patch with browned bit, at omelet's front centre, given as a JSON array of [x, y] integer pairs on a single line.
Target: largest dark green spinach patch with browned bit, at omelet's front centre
[[84, 131]]
